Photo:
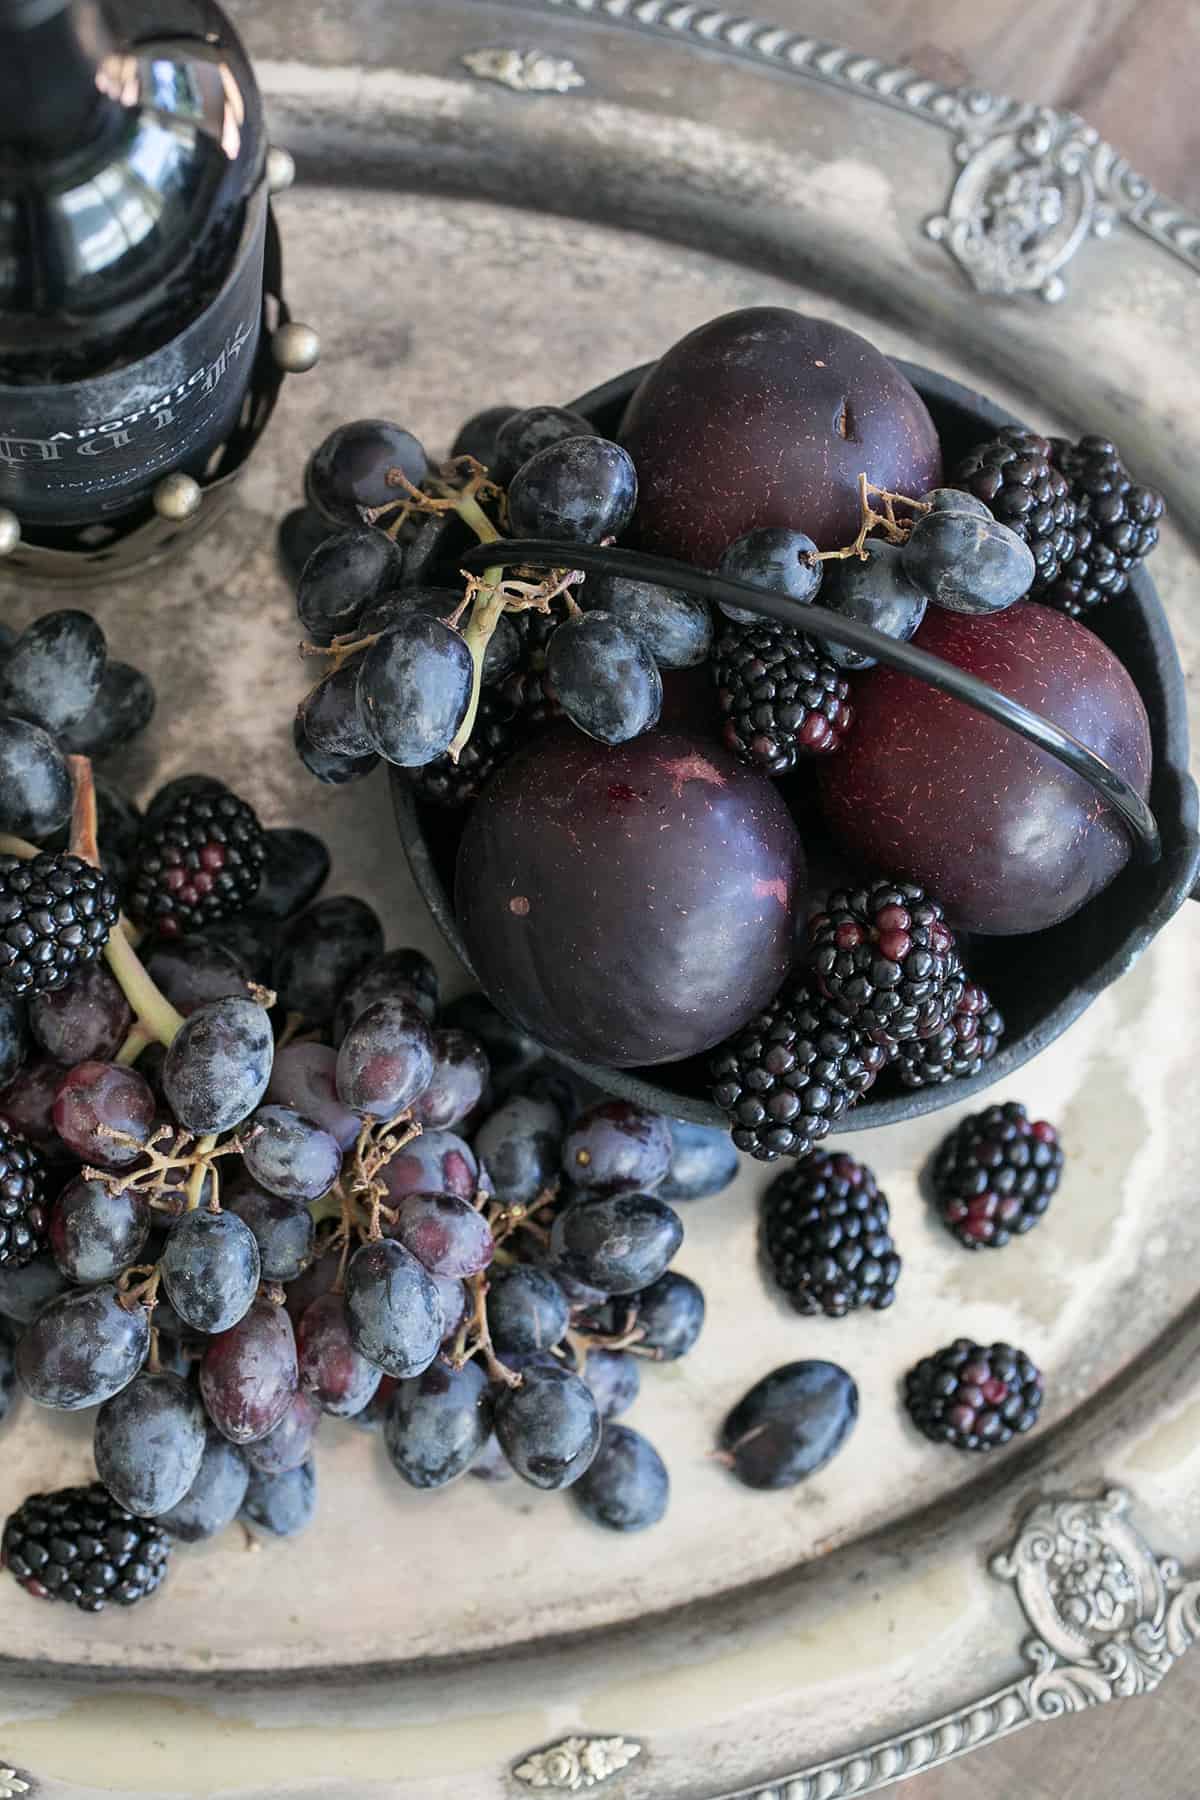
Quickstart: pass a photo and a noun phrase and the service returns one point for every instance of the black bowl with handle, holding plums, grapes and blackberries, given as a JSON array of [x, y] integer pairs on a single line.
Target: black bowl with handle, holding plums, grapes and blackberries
[[1041, 982]]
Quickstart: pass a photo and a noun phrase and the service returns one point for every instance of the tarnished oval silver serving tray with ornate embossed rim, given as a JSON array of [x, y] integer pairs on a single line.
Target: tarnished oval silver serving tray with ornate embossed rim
[[517, 202]]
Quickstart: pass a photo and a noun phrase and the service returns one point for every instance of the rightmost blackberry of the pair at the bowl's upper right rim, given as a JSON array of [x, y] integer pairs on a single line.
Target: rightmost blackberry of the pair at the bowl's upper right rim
[[1118, 526]]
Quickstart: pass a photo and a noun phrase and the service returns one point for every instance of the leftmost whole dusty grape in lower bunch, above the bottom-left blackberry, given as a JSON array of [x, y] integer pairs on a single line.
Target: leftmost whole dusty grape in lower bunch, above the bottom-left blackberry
[[82, 1349]]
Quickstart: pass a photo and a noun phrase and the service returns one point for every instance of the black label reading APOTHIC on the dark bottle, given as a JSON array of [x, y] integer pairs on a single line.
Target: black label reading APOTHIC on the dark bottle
[[84, 451]]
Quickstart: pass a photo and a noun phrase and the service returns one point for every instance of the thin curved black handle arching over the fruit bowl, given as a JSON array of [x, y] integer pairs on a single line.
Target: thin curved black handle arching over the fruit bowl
[[821, 624]]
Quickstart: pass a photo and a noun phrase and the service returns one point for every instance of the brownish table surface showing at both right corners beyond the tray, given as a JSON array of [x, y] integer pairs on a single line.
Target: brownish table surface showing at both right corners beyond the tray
[[1129, 69]]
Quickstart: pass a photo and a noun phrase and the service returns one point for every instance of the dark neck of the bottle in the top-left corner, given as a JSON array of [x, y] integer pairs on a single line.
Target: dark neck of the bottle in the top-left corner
[[51, 55]]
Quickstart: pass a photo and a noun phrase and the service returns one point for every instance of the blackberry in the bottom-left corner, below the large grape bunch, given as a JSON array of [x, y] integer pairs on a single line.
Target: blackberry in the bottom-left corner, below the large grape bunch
[[80, 1545]]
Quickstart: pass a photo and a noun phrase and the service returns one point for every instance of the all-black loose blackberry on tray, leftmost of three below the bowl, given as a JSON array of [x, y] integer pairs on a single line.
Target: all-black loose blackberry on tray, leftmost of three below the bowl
[[827, 1237]]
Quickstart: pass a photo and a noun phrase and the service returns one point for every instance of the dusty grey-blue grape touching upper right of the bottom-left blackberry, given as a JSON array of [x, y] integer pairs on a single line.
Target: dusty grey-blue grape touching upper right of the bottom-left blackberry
[[150, 1444]]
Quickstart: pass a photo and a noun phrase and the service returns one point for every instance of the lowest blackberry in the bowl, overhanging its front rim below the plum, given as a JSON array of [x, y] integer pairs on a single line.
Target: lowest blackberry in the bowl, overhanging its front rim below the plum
[[791, 1075]]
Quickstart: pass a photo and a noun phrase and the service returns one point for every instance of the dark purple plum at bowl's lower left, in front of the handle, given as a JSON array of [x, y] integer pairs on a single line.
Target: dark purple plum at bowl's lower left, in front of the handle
[[681, 831]]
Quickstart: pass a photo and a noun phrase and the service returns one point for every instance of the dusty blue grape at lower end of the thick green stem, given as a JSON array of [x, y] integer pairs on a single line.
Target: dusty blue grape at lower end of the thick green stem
[[219, 1066]]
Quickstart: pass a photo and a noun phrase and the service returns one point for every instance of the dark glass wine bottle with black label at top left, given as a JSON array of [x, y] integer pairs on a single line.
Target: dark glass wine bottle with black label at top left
[[132, 229]]
